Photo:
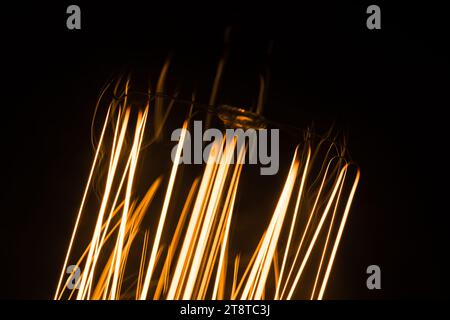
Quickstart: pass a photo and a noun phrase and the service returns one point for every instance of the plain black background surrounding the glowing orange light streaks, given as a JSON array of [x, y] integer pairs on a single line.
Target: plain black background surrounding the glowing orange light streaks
[[388, 89]]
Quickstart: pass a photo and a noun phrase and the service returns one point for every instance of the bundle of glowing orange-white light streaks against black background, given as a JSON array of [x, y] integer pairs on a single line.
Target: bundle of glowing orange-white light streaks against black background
[[175, 240]]
